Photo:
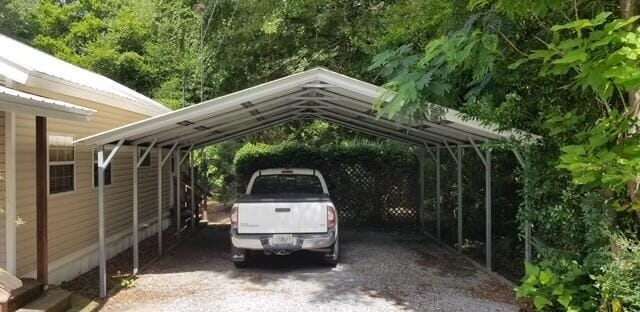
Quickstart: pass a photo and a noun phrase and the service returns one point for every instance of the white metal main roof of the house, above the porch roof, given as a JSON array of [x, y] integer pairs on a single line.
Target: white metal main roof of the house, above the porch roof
[[27, 65]]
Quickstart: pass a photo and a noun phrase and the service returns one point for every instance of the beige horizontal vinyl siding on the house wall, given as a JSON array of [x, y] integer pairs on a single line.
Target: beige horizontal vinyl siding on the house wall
[[73, 216]]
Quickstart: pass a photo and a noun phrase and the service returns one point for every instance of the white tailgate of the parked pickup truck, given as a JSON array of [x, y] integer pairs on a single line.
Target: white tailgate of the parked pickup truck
[[263, 217]]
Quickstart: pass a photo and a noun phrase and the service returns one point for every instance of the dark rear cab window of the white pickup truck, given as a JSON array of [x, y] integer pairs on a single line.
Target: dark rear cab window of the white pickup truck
[[279, 184]]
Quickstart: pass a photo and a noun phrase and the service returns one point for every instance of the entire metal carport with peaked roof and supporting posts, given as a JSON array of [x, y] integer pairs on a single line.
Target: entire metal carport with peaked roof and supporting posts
[[314, 94]]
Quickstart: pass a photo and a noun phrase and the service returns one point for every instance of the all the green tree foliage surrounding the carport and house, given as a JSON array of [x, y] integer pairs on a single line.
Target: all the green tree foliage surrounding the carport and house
[[565, 70]]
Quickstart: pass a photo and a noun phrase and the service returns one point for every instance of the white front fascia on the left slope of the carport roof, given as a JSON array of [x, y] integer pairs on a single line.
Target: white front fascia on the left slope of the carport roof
[[202, 109]]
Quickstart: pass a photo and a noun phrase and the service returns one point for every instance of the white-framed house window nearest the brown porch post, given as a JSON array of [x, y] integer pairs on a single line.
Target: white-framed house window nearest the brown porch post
[[61, 164]]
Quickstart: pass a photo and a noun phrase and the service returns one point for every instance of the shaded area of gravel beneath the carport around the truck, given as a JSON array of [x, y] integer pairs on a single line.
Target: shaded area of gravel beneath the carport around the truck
[[393, 269]]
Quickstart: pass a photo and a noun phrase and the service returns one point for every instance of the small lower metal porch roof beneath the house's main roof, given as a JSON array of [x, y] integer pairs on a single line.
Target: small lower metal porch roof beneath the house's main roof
[[22, 102]]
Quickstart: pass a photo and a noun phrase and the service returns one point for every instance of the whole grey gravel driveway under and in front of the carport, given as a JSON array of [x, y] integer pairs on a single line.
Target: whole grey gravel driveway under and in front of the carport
[[379, 271]]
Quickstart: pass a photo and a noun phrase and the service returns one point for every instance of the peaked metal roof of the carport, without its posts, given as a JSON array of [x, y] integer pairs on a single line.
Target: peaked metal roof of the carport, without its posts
[[314, 94]]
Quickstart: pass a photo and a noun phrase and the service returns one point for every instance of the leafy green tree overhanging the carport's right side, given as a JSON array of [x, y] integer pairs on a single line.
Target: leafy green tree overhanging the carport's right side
[[557, 68]]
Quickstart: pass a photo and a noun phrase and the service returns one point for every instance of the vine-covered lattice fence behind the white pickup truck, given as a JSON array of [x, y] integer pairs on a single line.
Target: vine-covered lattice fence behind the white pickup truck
[[371, 185]]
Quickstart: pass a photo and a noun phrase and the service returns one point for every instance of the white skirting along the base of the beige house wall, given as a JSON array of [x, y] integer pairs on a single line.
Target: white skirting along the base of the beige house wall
[[85, 259]]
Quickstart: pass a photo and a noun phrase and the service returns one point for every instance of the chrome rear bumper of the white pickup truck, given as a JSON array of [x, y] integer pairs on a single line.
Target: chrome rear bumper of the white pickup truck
[[301, 241]]
